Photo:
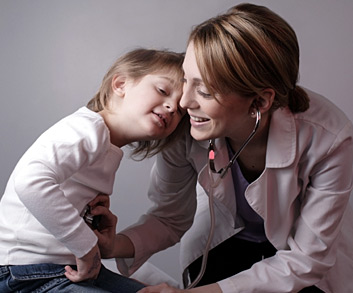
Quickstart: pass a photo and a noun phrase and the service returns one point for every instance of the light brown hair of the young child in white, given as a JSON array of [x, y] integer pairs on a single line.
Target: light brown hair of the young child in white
[[134, 65]]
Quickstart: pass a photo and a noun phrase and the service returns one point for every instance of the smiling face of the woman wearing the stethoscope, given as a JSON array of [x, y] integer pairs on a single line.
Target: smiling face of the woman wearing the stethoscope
[[210, 117]]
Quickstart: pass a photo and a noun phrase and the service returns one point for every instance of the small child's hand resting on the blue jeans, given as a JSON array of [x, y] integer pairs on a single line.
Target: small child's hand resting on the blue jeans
[[88, 267]]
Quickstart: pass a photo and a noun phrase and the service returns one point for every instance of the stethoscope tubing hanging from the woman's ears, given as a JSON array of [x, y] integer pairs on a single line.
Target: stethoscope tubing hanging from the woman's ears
[[214, 183]]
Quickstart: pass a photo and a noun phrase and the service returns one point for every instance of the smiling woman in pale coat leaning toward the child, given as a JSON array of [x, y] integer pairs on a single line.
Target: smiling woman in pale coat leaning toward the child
[[283, 221]]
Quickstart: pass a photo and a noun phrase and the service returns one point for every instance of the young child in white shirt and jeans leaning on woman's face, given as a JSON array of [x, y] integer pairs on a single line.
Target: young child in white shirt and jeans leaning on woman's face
[[41, 223]]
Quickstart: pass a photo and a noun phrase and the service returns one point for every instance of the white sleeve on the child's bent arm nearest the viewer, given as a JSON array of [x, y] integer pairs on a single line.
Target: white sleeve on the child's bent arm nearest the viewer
[[63, 150]]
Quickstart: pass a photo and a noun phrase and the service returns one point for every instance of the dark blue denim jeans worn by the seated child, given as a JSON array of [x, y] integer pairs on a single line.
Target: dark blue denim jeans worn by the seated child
[[50, 278]]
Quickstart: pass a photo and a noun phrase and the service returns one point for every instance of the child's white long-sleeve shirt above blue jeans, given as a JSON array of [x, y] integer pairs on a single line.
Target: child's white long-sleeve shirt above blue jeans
[[65, 168]]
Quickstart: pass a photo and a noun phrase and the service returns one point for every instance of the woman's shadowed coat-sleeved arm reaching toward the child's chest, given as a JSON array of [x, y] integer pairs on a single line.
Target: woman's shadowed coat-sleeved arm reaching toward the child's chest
[[173, 194]]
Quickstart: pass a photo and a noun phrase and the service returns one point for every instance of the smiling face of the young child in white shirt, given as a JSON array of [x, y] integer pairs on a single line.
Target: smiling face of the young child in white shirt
[[147, 109]]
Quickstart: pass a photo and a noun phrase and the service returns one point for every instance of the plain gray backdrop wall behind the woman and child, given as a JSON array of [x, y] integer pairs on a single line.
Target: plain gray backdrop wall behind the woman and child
[[53, 55]]
